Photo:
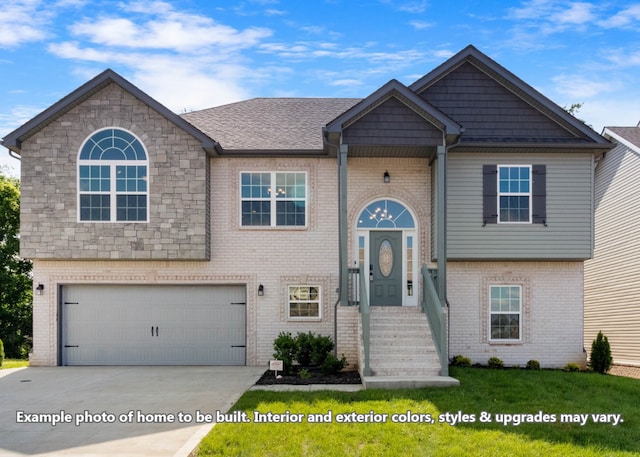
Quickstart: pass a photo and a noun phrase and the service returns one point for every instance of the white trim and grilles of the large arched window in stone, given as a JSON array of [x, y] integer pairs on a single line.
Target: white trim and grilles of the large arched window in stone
[[113, 207]]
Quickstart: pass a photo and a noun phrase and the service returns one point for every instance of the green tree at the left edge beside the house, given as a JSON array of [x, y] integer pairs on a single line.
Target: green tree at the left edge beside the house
[[15, 275]]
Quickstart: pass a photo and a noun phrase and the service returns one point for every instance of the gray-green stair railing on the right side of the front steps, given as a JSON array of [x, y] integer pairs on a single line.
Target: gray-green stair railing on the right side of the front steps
[[437, 318]]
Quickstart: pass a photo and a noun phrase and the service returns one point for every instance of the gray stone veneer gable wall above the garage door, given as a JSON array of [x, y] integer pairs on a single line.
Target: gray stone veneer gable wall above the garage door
[[178, 227]]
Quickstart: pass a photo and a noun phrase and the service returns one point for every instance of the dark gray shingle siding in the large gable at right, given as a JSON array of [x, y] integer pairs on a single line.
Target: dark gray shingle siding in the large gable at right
[[487, 110]]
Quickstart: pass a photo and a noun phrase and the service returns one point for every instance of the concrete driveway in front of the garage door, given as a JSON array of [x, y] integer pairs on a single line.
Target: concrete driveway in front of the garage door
[[114, 411]]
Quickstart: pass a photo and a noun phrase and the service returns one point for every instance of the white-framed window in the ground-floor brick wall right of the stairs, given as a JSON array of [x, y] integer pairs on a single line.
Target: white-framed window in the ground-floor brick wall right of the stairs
[[505, 303]]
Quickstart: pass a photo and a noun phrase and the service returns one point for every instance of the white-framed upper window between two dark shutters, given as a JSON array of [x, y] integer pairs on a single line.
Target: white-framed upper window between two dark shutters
[[514, 193]]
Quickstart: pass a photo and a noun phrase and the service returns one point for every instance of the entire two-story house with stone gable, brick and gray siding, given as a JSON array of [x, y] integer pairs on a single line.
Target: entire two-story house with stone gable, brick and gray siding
[[196, 239]]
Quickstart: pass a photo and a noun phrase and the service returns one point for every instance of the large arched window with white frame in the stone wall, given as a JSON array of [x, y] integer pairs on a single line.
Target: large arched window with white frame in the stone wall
[[112, 178]]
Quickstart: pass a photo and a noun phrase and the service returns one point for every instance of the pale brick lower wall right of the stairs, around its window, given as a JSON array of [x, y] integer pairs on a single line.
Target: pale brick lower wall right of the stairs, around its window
[[551, 317]]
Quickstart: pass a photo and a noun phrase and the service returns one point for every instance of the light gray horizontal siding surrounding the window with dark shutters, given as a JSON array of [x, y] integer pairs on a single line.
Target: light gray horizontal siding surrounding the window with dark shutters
[[568, 235]]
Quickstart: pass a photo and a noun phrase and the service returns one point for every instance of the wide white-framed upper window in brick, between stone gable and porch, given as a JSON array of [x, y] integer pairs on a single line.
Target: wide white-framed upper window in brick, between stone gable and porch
[[274, 199]]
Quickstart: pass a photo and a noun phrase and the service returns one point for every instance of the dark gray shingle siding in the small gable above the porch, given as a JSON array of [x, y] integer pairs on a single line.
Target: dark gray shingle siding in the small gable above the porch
[[392, 123]]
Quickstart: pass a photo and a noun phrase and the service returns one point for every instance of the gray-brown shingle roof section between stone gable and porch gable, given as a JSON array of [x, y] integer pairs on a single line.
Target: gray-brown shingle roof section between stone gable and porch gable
[[270, 123]]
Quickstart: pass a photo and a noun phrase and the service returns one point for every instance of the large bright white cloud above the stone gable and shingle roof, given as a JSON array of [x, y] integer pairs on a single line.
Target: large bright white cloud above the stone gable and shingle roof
[[185, 61]]
